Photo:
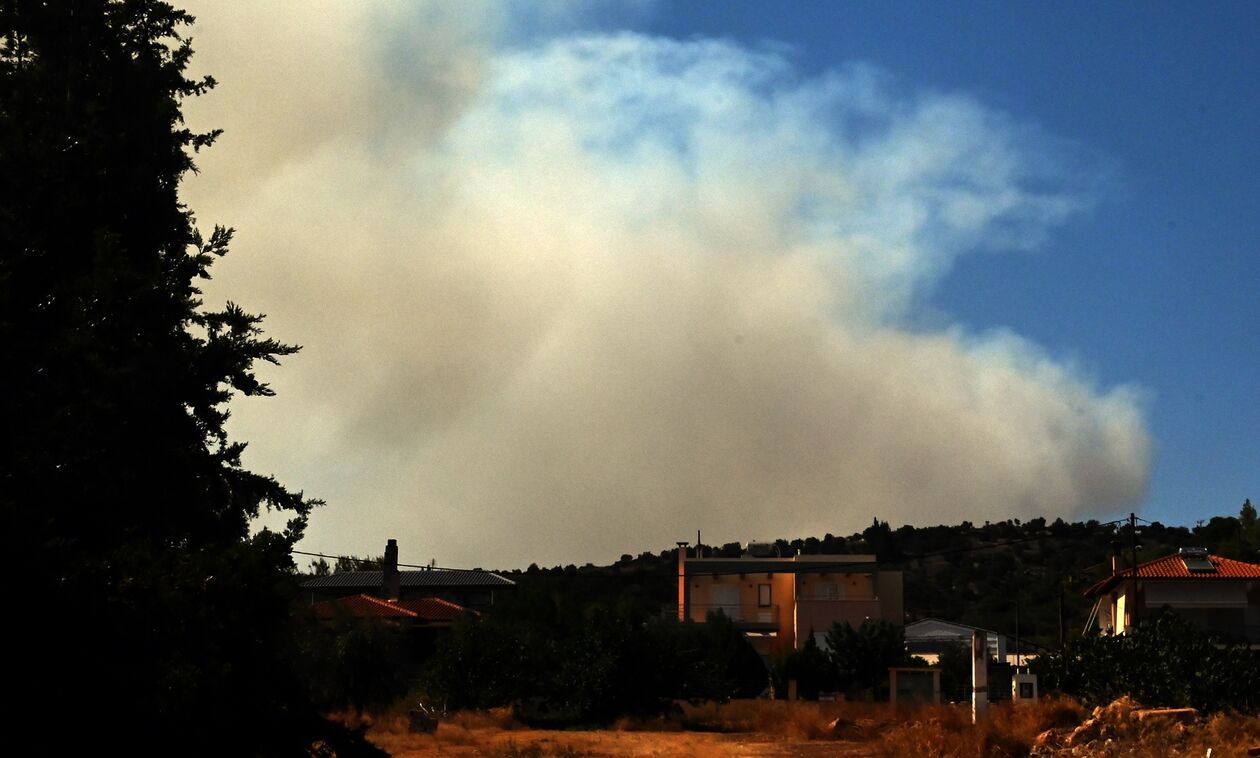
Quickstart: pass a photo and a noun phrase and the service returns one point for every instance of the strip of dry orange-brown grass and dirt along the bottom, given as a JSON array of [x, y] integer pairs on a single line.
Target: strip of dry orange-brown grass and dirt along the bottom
[[760, 728]]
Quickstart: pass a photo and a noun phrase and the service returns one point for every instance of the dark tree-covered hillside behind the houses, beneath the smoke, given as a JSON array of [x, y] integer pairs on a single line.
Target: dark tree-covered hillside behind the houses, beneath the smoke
[[975, 575]]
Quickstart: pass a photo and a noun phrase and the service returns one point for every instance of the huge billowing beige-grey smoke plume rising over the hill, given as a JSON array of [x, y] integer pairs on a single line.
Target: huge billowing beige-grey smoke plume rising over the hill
[[581, 298]]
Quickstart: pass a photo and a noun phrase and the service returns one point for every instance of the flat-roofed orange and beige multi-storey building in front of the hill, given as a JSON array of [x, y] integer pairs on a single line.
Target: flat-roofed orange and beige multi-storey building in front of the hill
[[777, 601]]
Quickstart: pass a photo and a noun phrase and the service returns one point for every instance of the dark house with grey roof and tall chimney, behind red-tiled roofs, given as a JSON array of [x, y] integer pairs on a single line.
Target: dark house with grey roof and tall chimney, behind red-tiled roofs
[[469, 589]]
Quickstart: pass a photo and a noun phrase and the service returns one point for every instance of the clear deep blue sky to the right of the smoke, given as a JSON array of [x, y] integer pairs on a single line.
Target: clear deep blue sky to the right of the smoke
[[1161, 284]]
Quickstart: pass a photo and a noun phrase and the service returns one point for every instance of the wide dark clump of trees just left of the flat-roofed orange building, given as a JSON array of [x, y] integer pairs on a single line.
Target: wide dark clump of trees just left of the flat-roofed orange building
[[590, 664]]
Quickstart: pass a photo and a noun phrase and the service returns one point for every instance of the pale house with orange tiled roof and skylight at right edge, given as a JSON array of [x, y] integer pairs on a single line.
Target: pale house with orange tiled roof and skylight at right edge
[[1220, 595]]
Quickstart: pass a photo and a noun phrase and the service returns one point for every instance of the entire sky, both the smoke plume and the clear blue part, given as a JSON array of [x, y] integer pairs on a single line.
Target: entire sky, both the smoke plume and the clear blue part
[[583, 279]]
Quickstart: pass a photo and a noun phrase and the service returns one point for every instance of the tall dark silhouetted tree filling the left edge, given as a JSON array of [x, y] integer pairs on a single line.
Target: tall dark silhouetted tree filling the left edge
[[162, 615]]
